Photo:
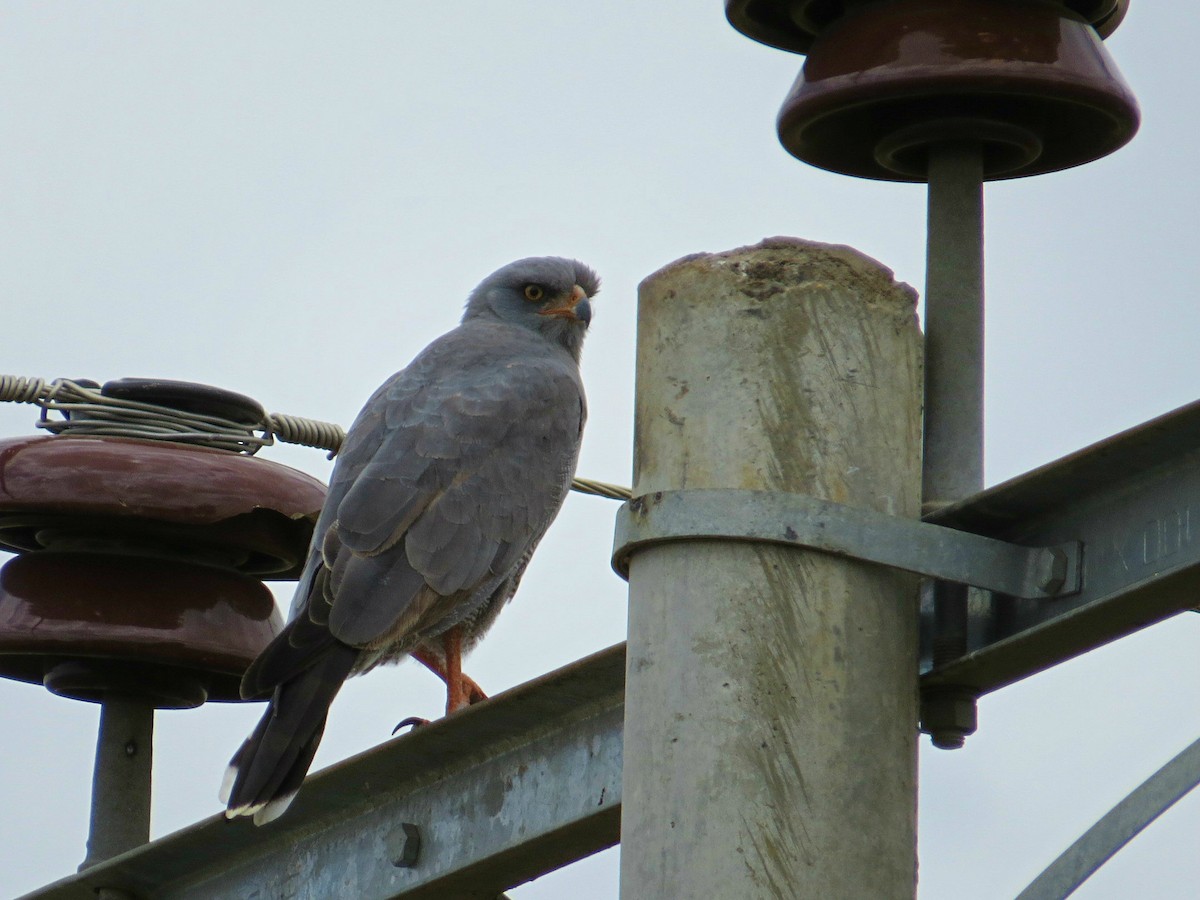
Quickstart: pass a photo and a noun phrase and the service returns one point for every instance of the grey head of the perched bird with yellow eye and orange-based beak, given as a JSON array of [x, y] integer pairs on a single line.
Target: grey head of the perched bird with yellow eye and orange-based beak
[[548, 295]]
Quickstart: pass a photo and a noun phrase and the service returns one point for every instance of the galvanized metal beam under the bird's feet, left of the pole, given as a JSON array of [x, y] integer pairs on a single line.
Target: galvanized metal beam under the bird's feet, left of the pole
[[500, 794]]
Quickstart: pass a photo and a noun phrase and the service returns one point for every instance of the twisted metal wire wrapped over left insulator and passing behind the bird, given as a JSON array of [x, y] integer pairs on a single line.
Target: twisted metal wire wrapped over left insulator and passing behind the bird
[[83, 410]]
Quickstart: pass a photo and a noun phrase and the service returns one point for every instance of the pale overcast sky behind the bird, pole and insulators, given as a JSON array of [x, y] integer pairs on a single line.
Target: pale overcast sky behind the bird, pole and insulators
[[291, 200]]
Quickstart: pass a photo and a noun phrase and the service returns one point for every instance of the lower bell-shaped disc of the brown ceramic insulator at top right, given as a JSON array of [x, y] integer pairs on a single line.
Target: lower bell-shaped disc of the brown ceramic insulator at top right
[[1030, 82]]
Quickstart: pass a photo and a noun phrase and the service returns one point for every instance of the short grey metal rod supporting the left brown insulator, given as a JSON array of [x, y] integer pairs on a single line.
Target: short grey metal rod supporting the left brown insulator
[[121, 788]]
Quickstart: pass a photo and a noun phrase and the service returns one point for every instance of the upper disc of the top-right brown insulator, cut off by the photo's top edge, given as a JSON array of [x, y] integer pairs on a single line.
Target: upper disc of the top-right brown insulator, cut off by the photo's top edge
[[795, 25]]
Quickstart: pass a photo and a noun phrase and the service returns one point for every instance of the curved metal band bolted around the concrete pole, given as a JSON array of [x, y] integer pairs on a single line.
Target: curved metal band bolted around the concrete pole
[[801, 521]]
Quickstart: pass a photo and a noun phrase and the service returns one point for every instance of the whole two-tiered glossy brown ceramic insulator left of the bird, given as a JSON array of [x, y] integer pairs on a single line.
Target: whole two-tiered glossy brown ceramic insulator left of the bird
[[141, 565]]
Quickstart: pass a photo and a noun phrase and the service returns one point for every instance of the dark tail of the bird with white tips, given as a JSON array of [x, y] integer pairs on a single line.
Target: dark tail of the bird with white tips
[[269, 769]]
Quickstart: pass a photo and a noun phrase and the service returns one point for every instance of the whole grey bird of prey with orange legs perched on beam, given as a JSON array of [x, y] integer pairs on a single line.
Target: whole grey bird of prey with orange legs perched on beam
[[447, 482]]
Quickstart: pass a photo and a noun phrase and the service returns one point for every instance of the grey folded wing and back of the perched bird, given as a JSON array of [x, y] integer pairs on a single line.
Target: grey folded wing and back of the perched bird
[[473, 451]]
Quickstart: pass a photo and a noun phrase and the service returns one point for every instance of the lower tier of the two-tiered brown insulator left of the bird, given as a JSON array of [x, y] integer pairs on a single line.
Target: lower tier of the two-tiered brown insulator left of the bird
[[169, 632]]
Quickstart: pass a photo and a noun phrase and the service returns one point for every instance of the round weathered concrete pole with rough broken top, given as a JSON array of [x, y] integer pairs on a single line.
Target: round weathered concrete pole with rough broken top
[[771, 713]]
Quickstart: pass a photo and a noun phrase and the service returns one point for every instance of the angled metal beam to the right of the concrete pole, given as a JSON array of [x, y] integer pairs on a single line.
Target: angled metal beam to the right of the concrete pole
[[1135, 503]]
